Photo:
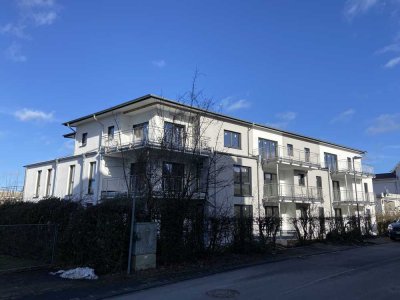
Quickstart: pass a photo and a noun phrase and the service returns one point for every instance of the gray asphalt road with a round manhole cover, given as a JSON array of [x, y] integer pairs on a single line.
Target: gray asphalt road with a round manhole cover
[[363, 273]]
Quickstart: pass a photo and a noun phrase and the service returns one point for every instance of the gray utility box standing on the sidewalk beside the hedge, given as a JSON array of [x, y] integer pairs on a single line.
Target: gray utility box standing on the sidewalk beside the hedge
[[145, 246]]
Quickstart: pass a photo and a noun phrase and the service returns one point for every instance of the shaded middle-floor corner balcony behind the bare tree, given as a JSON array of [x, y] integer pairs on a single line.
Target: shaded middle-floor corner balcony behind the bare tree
[[170, 186]]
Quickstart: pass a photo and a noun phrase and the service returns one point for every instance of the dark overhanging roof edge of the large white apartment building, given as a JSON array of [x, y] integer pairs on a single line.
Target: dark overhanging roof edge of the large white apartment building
[[248, 123]]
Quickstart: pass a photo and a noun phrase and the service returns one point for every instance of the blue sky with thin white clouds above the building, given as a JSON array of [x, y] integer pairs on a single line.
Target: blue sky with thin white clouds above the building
[[328, 69]]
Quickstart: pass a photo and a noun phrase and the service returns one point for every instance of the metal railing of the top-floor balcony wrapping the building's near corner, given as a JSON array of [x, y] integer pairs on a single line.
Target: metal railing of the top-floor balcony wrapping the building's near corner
[[155, 137]]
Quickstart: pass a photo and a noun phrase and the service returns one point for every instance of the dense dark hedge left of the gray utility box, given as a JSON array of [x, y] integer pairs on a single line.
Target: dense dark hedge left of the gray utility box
[[96, 236]]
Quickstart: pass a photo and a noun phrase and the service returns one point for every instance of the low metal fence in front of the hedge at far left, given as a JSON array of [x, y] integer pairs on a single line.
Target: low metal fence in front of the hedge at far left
[[25, 246]]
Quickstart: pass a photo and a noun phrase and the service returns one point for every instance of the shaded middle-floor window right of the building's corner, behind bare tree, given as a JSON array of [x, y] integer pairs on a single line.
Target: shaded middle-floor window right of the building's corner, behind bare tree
[[172, 177]]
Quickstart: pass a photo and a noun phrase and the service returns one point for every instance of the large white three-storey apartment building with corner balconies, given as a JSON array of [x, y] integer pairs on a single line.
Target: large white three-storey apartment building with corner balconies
[[271, 171]]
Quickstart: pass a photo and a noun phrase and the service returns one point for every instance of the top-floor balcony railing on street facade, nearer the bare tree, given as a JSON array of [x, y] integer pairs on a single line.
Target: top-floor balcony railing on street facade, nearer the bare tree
[[290, 155]]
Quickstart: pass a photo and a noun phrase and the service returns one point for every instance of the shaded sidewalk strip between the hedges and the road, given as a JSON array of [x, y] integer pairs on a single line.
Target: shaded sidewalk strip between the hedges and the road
[[41, 285]]
